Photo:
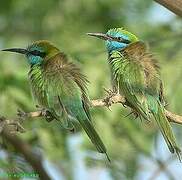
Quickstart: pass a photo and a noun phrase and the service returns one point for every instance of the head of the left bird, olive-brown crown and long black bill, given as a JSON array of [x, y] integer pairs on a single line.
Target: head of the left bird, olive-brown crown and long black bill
[[37, 52]]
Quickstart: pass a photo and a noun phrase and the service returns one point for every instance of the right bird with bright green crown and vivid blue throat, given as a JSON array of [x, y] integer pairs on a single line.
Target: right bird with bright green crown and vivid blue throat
[[135, 74]]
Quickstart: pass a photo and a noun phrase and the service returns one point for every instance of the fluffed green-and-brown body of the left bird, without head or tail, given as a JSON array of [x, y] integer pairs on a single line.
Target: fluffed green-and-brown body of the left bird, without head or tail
[[60, 87]]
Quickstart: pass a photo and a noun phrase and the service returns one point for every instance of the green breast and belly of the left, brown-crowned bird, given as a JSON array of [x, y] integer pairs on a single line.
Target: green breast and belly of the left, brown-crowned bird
[[46, 97]]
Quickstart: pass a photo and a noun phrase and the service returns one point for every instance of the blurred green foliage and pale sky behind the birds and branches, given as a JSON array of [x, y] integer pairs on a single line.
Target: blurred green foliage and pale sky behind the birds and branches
[[136, 148]]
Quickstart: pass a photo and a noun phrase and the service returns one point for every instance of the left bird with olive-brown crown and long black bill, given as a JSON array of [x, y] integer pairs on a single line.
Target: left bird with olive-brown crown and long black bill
[[59, 86]]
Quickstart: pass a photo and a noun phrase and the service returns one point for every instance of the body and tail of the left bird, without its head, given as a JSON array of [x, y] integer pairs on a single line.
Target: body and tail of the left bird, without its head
[[63, 91]]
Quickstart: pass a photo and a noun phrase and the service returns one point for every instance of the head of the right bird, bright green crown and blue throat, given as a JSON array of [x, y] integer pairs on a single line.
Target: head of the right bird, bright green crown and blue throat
[[116, 38]]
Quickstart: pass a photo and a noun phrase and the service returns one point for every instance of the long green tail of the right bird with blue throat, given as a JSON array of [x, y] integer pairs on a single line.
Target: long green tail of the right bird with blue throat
[[166, 130]]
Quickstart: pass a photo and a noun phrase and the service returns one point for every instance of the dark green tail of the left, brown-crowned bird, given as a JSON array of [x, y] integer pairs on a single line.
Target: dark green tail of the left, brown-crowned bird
[[94, 137]]
